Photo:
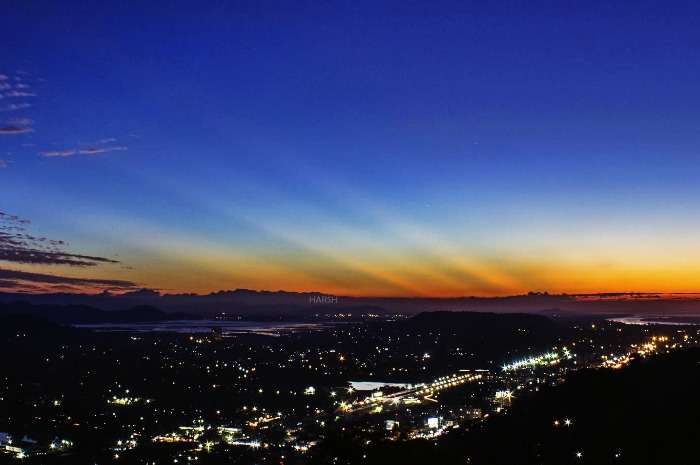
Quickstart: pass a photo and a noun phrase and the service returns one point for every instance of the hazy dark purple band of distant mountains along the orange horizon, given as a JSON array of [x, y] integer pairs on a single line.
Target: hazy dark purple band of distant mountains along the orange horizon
[[247, 302]]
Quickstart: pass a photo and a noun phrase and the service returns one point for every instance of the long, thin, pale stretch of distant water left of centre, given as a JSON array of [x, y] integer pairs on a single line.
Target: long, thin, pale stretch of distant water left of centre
[[206, 326]]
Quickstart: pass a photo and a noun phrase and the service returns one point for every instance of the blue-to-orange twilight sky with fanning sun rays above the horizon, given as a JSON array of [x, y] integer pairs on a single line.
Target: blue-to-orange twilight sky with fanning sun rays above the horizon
[[357, 148]]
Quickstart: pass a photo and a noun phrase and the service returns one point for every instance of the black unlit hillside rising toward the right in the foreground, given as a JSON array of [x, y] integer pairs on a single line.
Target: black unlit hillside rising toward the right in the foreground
[[646, 413]]
